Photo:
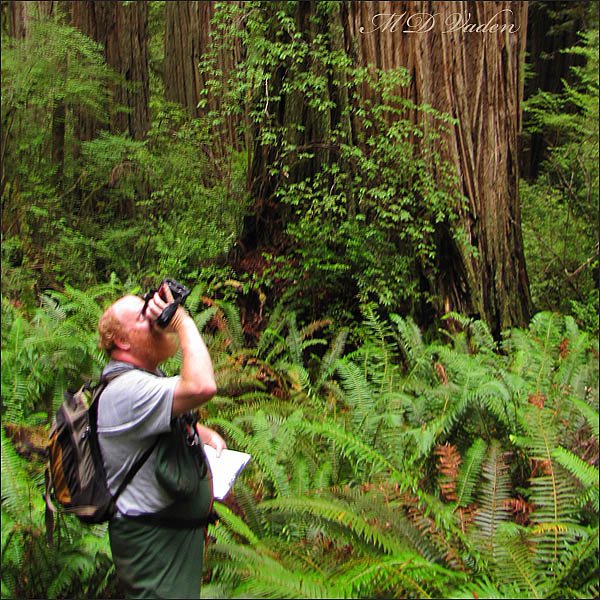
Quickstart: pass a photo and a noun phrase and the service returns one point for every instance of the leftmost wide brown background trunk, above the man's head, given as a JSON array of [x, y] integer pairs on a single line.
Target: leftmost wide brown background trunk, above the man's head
[[122, 30]]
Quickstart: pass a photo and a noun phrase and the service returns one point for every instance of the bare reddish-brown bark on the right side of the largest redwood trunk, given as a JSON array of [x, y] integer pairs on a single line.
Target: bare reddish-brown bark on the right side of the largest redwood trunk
[[476, 76]]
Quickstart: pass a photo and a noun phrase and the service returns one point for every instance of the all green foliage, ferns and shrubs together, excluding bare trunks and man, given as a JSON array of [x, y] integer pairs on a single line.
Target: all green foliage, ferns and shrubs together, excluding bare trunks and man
[[386, 462]]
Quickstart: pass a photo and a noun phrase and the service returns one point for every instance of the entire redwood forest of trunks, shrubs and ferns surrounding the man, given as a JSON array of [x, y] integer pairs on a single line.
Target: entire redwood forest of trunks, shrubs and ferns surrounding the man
[[391, 238]]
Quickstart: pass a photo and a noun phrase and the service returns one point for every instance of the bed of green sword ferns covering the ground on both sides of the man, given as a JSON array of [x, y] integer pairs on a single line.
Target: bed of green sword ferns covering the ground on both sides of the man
[[402, 467]]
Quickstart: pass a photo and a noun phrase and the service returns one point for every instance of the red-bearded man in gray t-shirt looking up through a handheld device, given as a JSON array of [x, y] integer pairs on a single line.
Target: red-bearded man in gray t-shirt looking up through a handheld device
[[152, 561]]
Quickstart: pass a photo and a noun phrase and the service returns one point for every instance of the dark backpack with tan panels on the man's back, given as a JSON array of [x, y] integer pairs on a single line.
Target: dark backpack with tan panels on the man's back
[[75, 474]]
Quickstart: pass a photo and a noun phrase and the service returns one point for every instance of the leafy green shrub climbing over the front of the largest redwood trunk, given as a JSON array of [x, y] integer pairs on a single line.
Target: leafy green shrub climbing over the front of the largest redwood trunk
[[350, 175]]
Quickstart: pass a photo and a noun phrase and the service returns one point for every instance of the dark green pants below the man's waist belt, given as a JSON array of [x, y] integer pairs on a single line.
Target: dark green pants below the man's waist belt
[[157, 562]]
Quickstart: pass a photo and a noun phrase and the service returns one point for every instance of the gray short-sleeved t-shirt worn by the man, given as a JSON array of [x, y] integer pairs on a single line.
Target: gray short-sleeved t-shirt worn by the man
[[133, 409]]
